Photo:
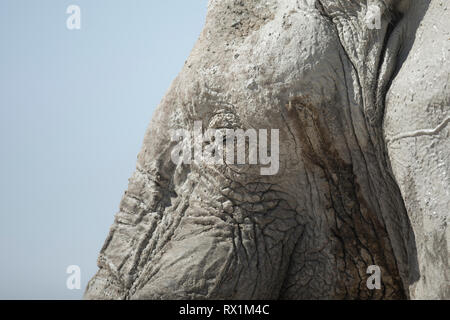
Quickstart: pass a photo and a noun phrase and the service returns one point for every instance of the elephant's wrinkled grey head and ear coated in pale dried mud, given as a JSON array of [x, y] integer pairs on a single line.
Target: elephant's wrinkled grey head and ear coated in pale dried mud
[[364, 160]]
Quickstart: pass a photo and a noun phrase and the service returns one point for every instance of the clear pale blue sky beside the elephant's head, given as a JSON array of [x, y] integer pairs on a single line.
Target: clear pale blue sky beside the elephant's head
[[74, 106]]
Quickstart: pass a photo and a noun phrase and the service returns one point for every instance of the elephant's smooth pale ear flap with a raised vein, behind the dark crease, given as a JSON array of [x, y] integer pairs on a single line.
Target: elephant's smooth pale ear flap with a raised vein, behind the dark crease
[[416, 130]]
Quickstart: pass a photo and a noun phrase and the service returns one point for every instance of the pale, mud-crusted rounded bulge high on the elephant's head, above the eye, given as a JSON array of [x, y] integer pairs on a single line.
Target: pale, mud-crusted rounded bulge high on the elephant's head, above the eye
[[294, 56]]
